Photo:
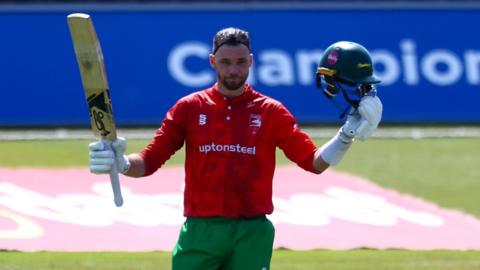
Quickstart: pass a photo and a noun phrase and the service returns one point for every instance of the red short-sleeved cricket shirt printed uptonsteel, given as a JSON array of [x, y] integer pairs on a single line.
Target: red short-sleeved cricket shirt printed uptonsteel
[[230, 150]]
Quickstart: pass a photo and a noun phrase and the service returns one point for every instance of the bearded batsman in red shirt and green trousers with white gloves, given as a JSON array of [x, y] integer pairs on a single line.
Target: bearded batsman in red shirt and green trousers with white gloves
[[231, 133]]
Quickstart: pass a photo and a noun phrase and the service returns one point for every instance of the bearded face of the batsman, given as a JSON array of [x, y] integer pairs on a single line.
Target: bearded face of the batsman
[[232, 65]]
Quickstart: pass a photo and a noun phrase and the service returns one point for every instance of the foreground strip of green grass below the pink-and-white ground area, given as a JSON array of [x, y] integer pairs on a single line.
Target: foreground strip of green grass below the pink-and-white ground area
[[282, 260]]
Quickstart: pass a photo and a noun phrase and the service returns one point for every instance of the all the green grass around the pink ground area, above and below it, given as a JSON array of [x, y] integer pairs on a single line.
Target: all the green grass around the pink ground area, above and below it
[[445, 171]]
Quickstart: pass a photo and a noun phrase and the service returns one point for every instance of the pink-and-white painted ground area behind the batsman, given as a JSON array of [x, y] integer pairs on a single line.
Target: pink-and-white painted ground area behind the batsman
[[73, 210]]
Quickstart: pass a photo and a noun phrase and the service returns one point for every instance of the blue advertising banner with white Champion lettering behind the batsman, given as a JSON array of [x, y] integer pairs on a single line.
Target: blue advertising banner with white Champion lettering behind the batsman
[[428, 60]]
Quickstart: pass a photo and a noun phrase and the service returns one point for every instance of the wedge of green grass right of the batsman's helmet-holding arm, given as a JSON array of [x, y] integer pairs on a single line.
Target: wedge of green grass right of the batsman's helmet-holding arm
[[445, 171]]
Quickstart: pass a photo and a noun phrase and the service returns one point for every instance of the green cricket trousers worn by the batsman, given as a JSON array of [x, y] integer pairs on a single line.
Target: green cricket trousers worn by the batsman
[[218, 243]]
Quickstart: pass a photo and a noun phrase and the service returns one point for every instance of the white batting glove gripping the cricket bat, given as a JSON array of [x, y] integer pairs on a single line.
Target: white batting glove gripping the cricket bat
[[106, 157]]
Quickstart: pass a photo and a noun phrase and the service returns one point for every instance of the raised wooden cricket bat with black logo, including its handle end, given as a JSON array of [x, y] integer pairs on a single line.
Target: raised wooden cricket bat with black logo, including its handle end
[[94, 79]]
